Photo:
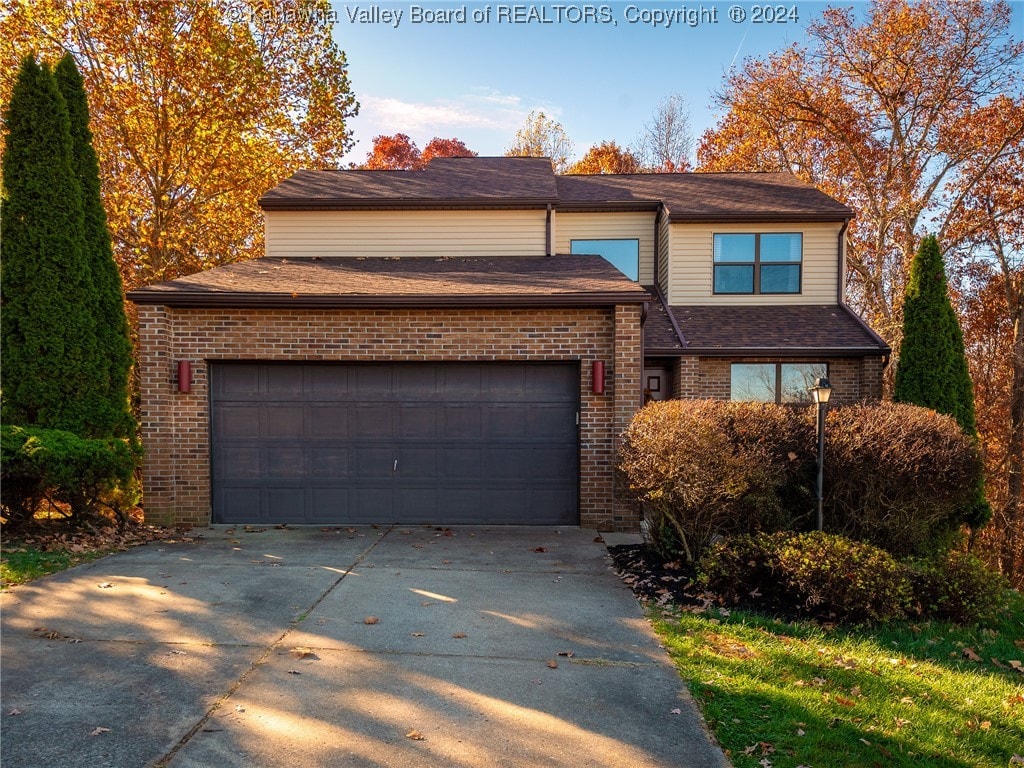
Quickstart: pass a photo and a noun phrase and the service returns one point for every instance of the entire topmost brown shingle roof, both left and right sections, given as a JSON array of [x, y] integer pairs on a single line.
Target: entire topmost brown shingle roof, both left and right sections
[[531, 183]]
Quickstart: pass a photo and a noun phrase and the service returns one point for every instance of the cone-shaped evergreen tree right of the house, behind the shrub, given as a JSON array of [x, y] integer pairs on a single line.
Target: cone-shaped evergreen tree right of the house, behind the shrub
[[932, 370]]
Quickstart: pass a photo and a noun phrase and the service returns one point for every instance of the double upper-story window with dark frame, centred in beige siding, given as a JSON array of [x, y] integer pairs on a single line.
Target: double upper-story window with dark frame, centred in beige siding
[[761, 264]]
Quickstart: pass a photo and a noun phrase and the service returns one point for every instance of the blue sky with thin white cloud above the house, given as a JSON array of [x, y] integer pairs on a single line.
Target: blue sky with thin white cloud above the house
[[479, 79]]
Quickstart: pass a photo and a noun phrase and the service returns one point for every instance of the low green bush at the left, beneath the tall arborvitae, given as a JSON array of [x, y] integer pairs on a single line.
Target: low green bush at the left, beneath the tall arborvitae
[[90, 478]]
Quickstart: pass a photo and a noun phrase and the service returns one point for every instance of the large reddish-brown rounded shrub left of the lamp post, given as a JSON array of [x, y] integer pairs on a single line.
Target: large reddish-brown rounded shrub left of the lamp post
[[709, 468]]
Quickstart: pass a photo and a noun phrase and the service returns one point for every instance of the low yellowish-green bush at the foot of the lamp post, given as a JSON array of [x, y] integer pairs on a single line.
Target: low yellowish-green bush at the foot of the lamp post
[[815, 574]]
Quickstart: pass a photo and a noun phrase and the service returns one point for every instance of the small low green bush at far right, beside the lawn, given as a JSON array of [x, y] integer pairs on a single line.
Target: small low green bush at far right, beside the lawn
[[957, 588]]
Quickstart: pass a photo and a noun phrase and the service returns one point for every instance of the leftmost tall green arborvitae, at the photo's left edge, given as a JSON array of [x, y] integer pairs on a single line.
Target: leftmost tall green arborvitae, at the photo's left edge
[[48, 328]]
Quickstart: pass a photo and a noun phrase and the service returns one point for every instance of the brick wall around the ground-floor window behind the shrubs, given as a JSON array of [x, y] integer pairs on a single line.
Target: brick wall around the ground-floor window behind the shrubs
[[854, 379]]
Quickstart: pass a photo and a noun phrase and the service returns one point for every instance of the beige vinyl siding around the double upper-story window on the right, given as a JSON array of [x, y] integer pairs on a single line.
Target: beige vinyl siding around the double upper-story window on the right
[[691, 272]]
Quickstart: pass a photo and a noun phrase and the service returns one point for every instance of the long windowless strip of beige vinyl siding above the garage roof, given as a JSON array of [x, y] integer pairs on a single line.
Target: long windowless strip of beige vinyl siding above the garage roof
[[409, 233]]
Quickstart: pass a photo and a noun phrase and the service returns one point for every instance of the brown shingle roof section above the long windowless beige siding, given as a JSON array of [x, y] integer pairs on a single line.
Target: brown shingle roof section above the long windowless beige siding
[[451, 182]]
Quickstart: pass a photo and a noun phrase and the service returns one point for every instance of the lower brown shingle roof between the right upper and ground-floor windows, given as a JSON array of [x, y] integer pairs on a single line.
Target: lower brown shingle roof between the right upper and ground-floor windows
[[831, 329]]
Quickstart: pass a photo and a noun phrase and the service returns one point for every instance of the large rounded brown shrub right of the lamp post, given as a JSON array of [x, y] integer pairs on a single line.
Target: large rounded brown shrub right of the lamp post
[[902, 478]]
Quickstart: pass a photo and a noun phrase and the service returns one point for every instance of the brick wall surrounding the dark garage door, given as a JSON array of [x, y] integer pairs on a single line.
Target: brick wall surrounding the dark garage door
[[177, 429]]
